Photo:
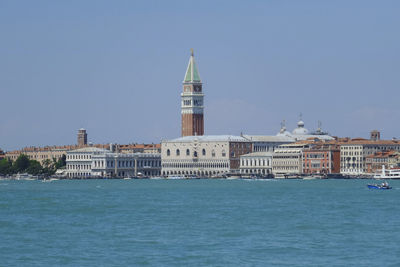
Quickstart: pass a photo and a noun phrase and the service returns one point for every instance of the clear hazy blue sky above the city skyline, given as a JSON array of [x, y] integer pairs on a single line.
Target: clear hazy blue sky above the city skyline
[[116, 68]]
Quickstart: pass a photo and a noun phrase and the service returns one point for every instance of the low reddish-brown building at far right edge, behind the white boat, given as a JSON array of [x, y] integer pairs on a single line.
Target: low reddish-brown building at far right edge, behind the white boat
[[389, 159]]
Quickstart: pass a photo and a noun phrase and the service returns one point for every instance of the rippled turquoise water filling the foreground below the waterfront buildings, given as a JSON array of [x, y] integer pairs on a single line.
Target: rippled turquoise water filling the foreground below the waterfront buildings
[[199, 223]]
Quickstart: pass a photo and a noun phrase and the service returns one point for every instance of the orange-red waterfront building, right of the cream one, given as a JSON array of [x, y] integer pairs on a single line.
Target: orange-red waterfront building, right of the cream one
[[321, 159]]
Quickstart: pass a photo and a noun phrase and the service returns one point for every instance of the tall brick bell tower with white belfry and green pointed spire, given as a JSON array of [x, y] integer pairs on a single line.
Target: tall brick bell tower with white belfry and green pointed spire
[[192, 104]]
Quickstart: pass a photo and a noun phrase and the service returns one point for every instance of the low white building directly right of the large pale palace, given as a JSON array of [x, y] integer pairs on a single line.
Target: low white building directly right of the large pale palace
[[256, 163]]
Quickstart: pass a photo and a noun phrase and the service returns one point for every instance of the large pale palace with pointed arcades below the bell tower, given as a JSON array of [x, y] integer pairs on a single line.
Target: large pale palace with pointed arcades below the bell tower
[[205, 156]]
